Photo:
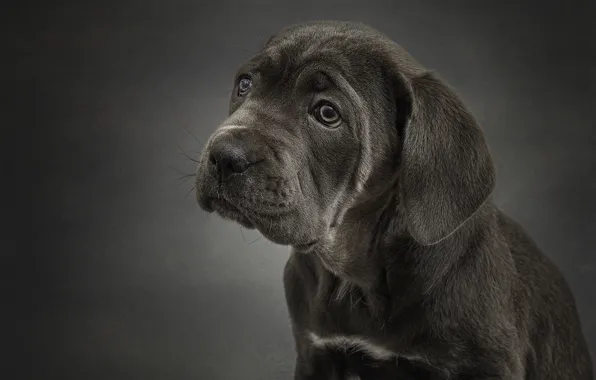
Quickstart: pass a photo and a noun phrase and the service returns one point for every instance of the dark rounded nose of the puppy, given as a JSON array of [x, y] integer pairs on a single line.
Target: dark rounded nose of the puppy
[[229, 156]]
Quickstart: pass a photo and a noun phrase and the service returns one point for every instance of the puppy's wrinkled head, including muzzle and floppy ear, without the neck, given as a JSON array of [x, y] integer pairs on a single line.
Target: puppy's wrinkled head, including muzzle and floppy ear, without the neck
[[329, 115]]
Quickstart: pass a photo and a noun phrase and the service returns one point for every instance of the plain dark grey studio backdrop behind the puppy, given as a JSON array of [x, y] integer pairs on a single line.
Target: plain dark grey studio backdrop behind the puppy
[[130, 280]]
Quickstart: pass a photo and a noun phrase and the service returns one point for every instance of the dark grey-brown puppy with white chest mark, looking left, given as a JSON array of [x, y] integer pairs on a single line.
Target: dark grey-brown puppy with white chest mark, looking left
[[342, 146]]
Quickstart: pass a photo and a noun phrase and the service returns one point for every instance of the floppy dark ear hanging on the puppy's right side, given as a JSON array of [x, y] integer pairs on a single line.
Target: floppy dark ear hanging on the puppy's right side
[[446, 169]]
